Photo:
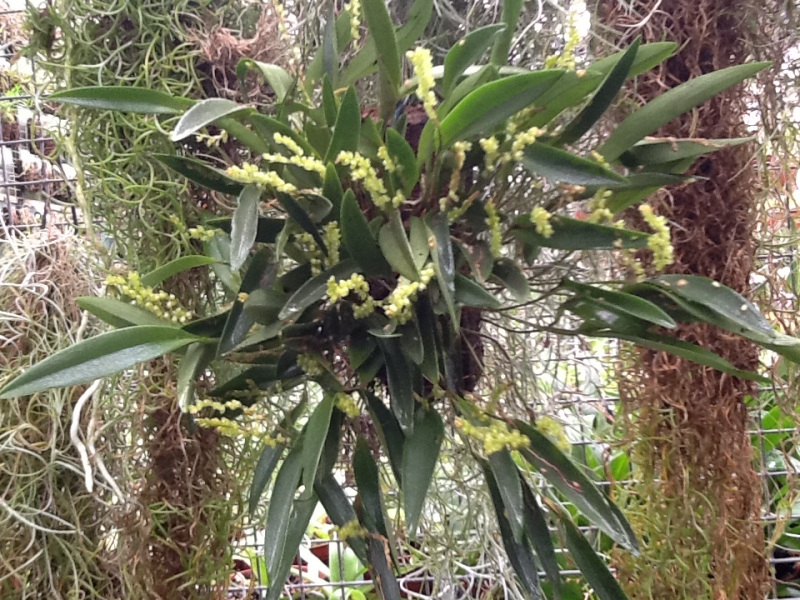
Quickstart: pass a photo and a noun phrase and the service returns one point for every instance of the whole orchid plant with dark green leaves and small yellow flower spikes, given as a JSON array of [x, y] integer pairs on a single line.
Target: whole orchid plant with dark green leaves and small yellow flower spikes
[[363, 254]]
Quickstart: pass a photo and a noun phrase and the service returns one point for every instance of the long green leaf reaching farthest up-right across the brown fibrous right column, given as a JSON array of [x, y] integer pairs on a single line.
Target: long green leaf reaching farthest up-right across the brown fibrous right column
[[672, 104]]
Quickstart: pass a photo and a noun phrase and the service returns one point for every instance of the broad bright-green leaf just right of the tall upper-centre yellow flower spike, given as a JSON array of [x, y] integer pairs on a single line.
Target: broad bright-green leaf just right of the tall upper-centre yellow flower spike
[[493, 103]]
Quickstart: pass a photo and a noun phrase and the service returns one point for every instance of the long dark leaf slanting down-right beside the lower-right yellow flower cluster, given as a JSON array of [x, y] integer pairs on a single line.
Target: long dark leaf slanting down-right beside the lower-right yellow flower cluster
[[568, 479]]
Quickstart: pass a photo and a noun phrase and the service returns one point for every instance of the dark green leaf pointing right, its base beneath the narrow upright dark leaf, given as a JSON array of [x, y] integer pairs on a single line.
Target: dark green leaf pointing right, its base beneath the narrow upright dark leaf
[[564, 167]]
